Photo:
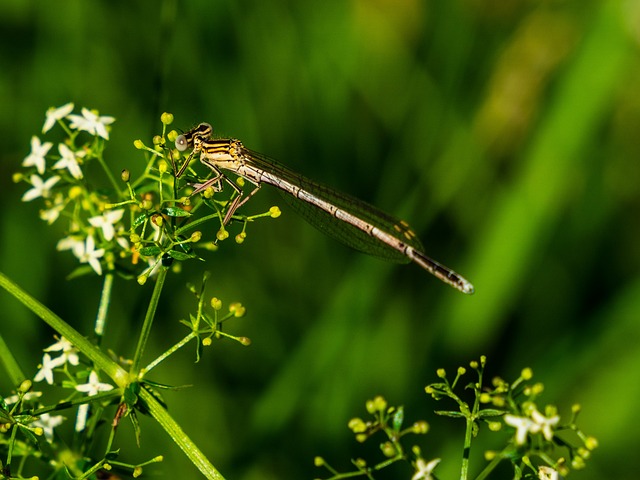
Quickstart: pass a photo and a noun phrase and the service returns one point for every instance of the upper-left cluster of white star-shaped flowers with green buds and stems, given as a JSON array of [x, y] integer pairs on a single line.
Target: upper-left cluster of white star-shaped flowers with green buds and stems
[[57, 177]]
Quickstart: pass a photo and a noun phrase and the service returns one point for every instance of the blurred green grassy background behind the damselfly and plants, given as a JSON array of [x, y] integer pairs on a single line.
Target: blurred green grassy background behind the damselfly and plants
[[506, 132]]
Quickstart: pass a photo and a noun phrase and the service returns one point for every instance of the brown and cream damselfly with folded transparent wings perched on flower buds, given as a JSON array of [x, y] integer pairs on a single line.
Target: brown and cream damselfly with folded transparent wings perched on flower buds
[[349, 220]]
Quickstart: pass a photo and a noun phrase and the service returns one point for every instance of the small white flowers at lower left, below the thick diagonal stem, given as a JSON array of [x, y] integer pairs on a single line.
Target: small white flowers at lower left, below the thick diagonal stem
[[68, 357]]
